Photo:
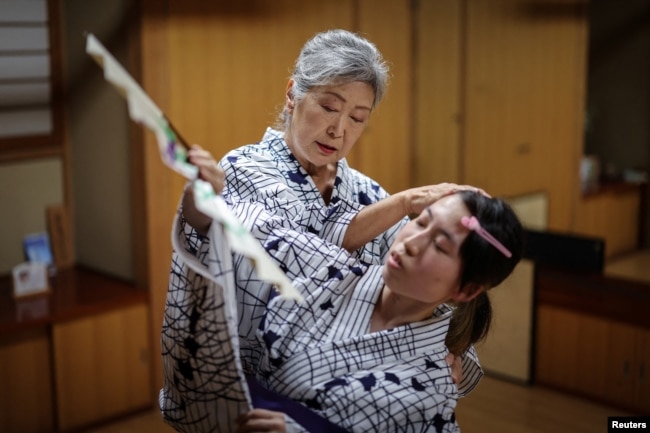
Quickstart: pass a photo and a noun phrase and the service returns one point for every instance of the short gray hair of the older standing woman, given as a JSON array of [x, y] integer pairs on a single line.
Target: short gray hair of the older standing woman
[[338, 57]]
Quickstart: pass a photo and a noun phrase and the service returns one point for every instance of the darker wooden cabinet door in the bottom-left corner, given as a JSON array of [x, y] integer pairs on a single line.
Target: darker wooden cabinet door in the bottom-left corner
[[26, 383]]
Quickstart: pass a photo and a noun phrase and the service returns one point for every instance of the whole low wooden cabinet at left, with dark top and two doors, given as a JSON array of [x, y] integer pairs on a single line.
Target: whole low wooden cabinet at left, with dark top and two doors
[[78, 356]]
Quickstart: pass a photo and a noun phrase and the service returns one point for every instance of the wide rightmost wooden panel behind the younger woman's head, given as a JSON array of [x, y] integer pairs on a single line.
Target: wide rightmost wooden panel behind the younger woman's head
[[525, 75]]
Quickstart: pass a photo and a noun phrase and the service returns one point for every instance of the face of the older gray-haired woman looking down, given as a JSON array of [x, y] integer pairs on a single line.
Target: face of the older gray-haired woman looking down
[[327, 122]]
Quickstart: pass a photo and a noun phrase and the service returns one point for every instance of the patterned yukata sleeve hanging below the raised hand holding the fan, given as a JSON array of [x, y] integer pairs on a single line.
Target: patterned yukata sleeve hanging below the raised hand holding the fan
[[204, 386]]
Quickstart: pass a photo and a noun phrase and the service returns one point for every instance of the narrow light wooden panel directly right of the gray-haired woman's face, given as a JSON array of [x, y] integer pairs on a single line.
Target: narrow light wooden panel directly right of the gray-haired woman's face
[[385, 150]]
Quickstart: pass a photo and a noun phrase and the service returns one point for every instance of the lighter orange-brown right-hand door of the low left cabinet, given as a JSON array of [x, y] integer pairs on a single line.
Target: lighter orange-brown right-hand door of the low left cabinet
[[101, 364]]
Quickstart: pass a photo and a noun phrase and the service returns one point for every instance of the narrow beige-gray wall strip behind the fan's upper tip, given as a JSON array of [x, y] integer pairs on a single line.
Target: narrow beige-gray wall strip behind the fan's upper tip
[[98, 129]]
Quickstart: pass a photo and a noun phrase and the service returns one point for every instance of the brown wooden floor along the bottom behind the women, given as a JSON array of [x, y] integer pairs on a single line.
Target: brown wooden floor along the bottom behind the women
[[496, 406]]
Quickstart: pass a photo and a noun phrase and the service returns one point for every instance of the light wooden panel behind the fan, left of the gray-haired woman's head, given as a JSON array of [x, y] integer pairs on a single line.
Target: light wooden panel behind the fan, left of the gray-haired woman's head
[[229, 64]]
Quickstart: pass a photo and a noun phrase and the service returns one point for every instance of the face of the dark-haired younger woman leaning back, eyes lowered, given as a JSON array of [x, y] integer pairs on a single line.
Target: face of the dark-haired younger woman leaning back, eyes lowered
[[424, 262]]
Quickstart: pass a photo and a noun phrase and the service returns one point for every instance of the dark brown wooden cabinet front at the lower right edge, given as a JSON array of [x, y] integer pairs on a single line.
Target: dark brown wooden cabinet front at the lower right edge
[[595, 357]]
